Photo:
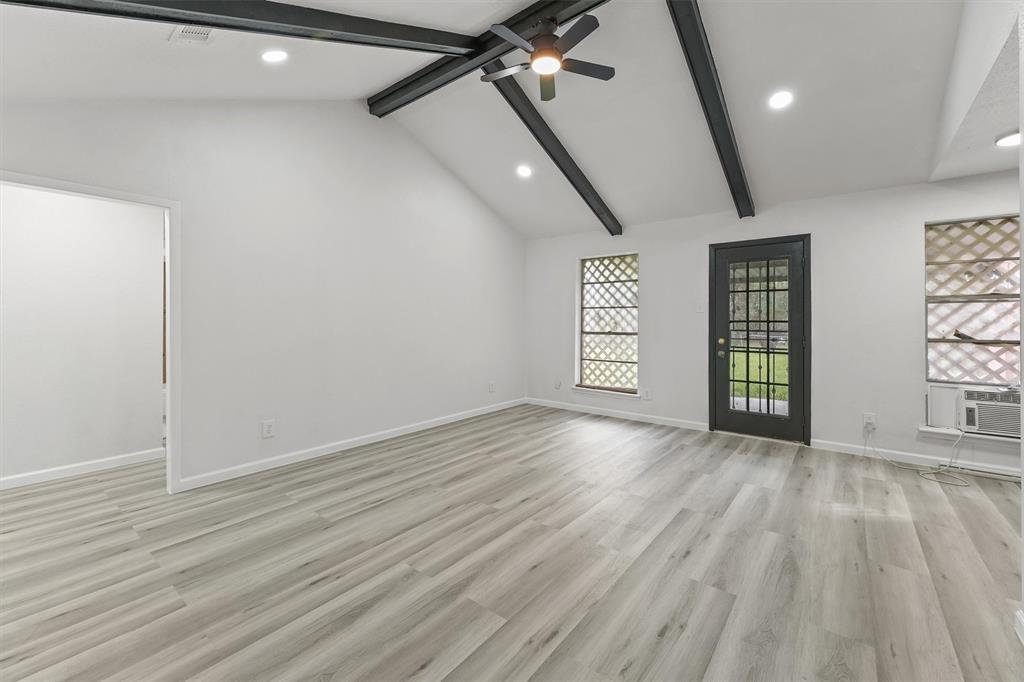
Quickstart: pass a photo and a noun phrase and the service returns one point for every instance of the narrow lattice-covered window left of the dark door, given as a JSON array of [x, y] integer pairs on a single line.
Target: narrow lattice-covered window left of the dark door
[[610, 323]]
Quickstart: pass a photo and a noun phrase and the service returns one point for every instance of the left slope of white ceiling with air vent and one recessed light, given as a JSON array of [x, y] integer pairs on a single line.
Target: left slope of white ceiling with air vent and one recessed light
[[48, 55]]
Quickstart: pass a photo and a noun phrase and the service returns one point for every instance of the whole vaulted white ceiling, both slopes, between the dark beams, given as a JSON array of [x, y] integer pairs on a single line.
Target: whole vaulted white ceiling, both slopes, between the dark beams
[[869, 80]]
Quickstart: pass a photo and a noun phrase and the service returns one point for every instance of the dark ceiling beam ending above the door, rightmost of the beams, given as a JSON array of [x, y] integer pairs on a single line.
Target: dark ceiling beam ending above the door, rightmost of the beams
[[690, 28]]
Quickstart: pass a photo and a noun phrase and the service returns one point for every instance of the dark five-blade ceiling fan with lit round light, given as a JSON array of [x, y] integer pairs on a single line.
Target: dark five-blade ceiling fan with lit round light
[[547, 53]]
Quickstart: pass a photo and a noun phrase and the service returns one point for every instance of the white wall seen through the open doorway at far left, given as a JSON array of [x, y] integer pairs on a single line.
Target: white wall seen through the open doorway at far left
[[81, 307]]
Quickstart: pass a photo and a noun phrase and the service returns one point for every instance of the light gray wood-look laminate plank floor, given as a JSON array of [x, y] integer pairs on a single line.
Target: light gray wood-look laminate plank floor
[[529, 544]]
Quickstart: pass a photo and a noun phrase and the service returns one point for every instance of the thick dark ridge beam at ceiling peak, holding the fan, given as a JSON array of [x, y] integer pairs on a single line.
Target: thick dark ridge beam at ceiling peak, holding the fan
[[448, 70]]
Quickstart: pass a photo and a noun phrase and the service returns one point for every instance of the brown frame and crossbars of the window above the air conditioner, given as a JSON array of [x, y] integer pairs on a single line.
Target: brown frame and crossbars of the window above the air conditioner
[[930, 300]]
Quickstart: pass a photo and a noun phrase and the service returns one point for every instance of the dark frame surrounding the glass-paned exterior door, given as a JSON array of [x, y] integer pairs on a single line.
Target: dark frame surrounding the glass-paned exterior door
[[805, 240]]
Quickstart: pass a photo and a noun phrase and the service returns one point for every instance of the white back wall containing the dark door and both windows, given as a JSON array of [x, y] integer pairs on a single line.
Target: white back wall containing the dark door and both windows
[[868, 278]]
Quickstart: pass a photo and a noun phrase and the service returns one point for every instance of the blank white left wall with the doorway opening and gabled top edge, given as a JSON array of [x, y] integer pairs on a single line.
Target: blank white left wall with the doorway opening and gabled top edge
[[335, 277]]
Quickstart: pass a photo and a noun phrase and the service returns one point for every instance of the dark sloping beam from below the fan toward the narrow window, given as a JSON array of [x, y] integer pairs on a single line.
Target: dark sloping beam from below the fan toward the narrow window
[[545, 136]]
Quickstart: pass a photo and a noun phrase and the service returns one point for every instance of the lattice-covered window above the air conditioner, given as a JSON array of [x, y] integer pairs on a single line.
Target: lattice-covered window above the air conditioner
[[973, 287]]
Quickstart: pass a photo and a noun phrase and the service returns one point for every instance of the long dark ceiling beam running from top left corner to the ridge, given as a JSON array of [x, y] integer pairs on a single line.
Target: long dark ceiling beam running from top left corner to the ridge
[[275, 19]]
